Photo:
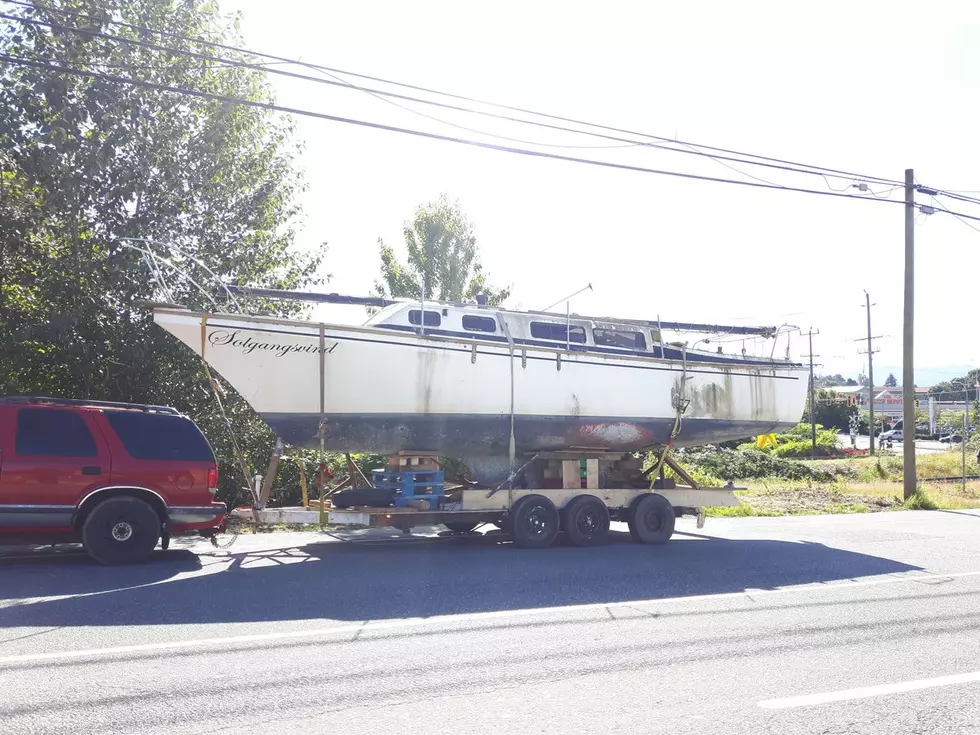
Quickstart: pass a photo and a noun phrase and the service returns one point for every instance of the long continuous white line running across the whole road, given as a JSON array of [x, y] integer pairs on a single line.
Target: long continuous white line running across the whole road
[[370, 626]]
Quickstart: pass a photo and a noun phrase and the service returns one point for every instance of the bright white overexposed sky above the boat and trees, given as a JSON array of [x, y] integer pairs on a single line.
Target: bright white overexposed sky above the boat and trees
[[868, 87]]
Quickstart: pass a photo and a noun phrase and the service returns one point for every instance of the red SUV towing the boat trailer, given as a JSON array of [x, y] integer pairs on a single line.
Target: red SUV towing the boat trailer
[[118, 477]]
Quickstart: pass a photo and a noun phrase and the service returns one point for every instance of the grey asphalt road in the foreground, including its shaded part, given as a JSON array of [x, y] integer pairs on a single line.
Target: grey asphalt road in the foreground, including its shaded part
[[774, 625]]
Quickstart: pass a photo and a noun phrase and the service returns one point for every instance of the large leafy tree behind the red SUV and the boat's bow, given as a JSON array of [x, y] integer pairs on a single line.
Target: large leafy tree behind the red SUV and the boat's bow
[[87, 162]]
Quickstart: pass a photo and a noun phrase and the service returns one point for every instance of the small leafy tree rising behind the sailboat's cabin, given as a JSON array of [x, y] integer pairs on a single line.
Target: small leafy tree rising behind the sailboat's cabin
[[442, 253]]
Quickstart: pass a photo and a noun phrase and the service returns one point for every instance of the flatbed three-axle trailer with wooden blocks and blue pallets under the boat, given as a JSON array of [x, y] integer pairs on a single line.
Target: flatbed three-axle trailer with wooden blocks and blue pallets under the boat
[[559, 492]]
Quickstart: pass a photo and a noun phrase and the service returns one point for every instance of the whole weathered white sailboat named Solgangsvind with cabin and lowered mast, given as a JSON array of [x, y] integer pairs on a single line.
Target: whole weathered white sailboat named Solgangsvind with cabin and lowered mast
[[487, 384]]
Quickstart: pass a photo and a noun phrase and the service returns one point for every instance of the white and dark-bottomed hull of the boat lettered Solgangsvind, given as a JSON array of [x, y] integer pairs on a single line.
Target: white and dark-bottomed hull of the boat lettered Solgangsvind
[[387, 391]]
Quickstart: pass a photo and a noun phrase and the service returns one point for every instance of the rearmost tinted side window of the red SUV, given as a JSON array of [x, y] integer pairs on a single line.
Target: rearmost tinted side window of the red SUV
[[154, 436]]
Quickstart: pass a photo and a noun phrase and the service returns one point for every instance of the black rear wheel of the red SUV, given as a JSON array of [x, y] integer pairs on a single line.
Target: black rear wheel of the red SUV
[[121, 531]]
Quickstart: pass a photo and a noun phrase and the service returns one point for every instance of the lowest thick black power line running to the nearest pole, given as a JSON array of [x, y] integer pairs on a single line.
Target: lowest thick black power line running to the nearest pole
[[418, 133]]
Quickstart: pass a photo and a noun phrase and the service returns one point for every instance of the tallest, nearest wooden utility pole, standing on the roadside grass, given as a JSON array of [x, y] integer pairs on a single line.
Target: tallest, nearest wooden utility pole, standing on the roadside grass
[[908, 364]]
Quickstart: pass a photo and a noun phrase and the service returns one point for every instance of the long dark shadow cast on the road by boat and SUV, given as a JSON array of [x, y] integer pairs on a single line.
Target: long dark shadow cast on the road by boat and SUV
[[459, 575]]
